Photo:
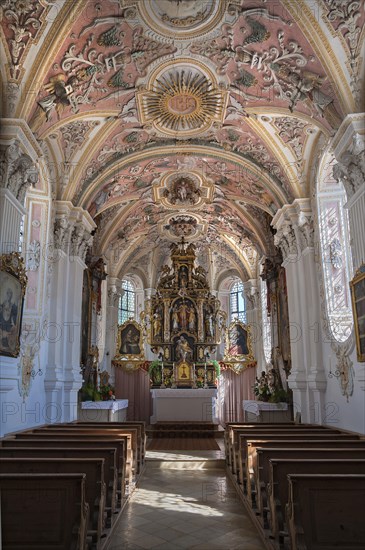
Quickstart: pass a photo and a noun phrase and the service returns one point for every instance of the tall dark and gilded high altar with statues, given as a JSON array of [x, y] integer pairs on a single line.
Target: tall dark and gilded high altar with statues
[[186, 322]]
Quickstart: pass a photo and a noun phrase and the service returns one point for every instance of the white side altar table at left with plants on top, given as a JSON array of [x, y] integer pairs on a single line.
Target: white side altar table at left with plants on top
[[104, 411]]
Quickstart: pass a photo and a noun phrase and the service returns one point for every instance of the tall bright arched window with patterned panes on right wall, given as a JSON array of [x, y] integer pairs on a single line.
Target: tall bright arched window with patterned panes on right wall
[[335, 253]]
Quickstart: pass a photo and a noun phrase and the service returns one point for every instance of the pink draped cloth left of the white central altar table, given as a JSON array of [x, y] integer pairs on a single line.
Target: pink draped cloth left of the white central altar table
[[135, 387]]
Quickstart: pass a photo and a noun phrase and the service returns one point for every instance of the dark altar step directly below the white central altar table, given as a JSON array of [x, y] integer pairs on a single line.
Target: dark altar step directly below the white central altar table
[[185, 430]]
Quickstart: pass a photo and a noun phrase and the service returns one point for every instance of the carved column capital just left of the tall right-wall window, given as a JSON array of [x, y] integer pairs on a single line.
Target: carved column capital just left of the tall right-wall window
[[294, 226]]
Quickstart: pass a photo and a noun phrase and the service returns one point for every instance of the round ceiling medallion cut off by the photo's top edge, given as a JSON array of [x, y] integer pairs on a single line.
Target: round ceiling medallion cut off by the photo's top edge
[[181, 19]]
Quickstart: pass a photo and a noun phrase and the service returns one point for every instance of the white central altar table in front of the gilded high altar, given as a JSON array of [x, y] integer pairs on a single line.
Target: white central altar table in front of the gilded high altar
[[171, 405]]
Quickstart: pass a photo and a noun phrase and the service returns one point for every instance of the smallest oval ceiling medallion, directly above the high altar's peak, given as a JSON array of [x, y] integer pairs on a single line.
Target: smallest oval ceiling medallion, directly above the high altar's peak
[[175, 227]]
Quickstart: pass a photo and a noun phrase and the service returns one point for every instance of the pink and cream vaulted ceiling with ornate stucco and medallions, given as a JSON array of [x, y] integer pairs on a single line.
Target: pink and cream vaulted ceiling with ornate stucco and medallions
[[171, 118]]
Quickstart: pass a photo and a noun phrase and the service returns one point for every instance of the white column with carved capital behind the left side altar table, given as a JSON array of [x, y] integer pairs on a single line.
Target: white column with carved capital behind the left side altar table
[[72, 238]]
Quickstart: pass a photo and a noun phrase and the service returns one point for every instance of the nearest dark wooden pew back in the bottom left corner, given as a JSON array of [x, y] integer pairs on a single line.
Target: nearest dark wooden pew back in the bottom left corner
[[45, 511]]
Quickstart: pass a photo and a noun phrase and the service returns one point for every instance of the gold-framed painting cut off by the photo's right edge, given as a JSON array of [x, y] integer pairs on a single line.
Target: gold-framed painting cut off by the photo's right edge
[[357, 286]]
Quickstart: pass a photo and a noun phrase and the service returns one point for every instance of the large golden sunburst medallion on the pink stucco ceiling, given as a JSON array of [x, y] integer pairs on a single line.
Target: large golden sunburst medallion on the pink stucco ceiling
[[182, 101]]
